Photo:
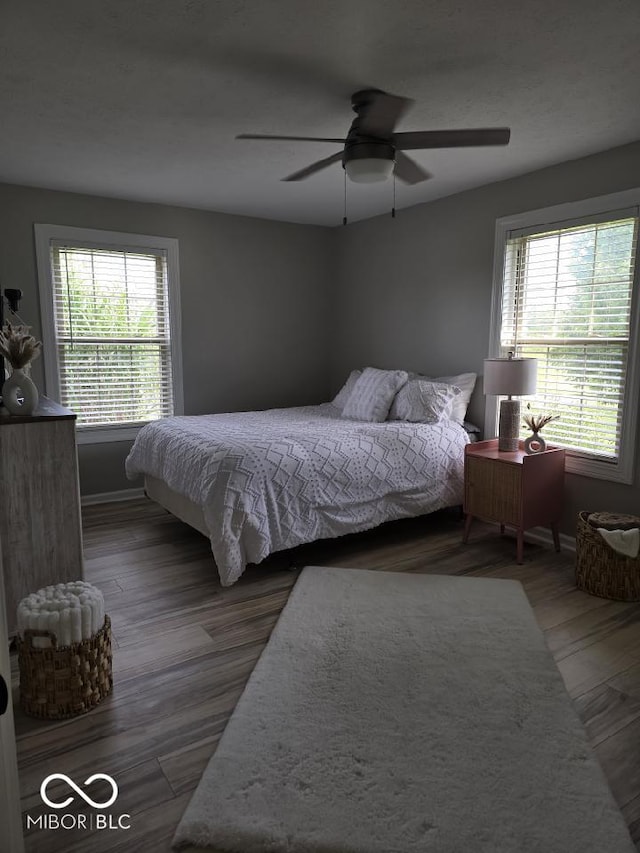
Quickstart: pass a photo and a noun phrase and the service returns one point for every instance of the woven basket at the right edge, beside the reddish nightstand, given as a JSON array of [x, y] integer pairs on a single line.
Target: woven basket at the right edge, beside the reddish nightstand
[[599, 569]]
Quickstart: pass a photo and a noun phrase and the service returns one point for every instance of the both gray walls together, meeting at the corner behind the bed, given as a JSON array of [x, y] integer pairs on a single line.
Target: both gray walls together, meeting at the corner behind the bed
[[275, 314]]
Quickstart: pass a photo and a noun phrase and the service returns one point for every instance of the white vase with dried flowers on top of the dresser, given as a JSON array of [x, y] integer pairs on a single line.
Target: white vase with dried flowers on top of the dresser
[[20, 348]]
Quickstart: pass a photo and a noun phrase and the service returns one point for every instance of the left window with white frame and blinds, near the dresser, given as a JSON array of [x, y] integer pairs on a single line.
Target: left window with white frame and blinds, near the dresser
[[110, 313]]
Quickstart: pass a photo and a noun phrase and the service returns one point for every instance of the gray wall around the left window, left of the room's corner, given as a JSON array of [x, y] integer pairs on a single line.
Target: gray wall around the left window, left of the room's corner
[[254, 303]]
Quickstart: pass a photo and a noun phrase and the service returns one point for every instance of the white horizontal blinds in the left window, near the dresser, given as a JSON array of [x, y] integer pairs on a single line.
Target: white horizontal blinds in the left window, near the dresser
[[111, 314]]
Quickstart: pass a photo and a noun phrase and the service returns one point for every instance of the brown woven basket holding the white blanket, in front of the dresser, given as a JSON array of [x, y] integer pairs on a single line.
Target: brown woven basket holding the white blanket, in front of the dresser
[[58, 683]]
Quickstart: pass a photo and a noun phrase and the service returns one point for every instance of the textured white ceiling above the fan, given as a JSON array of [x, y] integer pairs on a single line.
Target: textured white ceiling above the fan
[[142, 100]]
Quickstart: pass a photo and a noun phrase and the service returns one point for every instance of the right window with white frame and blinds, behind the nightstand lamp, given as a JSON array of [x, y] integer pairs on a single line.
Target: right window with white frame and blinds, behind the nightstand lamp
[[566, 294]]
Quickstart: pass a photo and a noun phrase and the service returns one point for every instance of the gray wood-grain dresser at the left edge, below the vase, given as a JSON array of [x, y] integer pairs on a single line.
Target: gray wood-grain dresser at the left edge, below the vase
[[40, 525]]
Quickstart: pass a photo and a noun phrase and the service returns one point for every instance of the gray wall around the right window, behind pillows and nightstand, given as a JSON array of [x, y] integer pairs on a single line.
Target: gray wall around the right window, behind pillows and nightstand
[[415, 291]]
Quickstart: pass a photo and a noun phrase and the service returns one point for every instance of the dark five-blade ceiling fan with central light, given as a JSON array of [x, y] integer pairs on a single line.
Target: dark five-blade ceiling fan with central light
[[372, 148]]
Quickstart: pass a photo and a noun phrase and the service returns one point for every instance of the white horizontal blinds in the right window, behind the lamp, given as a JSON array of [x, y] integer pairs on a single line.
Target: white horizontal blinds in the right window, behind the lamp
[[566, 301]]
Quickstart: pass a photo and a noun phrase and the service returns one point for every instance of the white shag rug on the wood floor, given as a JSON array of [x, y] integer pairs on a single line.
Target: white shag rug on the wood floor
[[397, 713]]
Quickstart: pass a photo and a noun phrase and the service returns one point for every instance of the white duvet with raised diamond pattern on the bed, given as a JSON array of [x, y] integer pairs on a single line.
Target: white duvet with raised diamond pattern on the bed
[[275, 479]]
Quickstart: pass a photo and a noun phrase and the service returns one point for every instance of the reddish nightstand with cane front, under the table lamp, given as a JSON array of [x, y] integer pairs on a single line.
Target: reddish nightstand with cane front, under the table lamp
[[513, 488]]
